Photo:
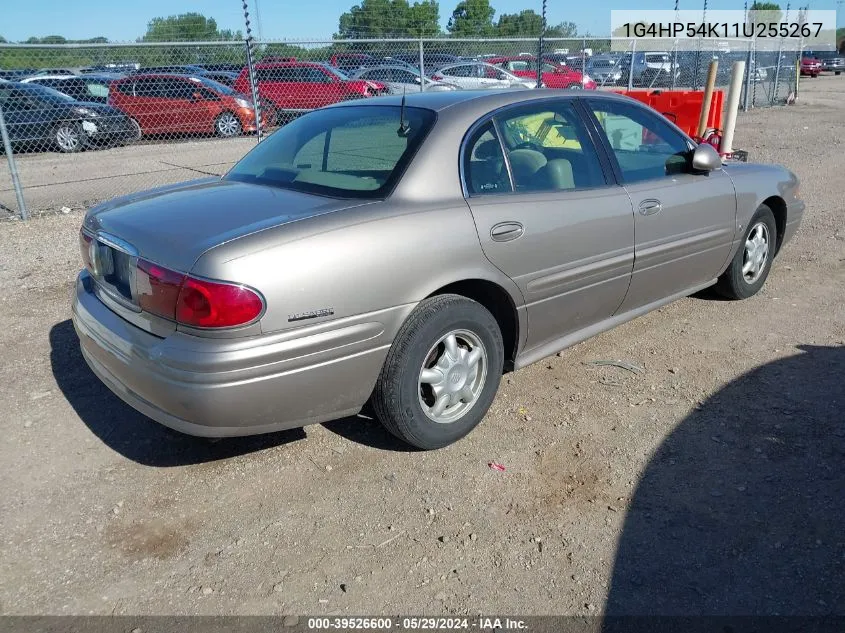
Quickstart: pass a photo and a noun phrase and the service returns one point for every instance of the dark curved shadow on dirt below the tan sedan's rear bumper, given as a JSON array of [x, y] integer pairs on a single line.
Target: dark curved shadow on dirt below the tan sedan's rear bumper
[[130, 433]]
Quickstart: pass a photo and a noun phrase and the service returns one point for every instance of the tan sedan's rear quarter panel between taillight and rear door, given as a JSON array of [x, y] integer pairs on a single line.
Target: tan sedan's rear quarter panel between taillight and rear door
[[376, 257]]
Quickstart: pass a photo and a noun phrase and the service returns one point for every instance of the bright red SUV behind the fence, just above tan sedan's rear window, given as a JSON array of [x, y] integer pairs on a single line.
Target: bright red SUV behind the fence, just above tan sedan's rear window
[[303, 86]]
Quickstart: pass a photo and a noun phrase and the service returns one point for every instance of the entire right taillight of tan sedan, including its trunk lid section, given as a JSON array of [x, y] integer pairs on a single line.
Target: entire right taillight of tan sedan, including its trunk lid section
[[194, 302]]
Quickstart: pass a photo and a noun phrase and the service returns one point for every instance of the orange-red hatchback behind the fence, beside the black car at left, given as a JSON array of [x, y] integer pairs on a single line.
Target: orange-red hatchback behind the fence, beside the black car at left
[[178, 104]]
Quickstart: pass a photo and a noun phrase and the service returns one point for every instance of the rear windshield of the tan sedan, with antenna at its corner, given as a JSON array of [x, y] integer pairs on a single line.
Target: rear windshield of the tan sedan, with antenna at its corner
[[345, 152]]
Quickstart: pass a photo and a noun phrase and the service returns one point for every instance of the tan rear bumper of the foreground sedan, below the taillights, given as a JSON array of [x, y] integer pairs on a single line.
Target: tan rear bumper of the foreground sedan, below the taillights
[[230, 387]]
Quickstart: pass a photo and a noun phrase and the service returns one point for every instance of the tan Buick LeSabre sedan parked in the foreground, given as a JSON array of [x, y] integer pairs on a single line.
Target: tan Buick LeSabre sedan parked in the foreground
[[407, 252]]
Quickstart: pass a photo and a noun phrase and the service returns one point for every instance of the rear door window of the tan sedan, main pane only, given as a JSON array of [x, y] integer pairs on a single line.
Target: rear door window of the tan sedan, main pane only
[[549, 150]]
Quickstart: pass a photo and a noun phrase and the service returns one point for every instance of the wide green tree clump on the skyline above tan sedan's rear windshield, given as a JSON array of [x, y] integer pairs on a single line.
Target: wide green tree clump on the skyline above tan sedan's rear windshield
[[390, 18]]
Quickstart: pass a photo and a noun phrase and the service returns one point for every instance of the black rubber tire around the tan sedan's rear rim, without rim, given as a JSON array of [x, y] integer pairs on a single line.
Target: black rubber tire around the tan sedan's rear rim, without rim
[[397, 396]]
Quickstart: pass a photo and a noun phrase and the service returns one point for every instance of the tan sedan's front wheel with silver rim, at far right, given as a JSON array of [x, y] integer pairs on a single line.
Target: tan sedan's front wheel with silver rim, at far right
[[750, 267]]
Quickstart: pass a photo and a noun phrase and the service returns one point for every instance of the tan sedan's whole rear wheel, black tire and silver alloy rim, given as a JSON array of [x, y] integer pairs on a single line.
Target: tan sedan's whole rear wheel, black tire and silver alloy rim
[[441, 373]]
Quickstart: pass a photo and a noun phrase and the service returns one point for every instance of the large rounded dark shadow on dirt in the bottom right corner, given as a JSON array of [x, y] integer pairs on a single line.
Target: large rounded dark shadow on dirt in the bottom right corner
[[741, 509]]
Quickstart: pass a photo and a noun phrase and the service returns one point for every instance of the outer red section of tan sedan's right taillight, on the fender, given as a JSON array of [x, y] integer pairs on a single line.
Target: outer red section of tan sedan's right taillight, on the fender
[[212, 304]]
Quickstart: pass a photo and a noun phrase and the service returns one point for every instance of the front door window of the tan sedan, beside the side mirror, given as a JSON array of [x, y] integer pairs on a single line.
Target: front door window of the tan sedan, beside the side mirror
[[644, 144]]
